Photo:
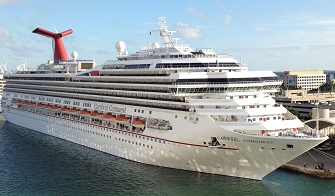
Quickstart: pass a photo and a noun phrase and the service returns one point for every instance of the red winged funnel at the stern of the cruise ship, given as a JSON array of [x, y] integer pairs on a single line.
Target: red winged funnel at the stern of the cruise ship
[[59, 50]]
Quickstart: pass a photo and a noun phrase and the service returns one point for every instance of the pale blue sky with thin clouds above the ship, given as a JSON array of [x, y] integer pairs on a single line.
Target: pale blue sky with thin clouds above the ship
[[266, 34]]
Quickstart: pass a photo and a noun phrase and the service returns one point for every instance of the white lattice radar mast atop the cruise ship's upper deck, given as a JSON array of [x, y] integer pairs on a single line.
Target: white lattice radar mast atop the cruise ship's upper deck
[[168, 41]]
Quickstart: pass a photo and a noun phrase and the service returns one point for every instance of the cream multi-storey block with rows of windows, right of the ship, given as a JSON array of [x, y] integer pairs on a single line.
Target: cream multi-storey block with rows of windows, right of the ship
[[307, 80]]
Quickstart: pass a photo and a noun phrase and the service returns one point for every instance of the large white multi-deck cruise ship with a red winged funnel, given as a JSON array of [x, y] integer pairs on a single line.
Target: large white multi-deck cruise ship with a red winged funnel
[[166, 105]]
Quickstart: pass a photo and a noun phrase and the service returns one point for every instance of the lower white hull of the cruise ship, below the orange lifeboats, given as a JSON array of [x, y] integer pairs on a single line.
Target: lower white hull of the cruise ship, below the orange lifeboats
[[252, 157]]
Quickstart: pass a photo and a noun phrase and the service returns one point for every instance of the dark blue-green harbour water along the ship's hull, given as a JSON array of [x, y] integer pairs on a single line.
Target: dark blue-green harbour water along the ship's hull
[[32, 163]]
